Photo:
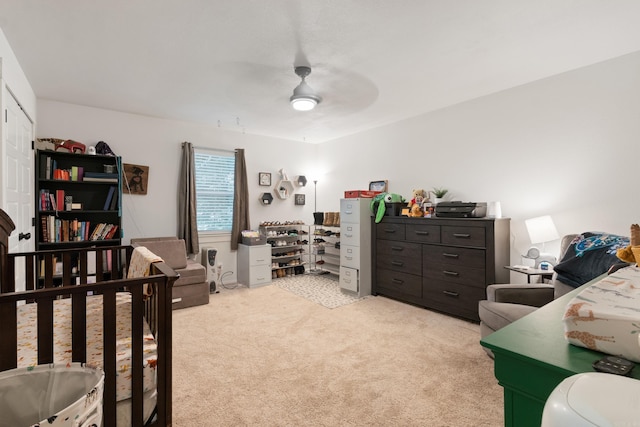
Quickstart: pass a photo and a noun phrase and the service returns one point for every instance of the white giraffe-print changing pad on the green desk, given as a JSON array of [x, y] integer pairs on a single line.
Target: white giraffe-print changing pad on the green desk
[[606, 315]]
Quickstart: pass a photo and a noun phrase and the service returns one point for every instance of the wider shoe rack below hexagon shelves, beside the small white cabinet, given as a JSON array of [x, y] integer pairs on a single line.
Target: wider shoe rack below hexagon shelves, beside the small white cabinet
[[289, 241]]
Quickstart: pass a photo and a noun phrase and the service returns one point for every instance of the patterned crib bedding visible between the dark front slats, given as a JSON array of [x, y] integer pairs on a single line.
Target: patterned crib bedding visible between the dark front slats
[[27, 340]]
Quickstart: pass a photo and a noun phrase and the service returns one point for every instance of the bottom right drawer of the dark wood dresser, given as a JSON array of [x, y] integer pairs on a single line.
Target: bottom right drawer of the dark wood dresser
[[453, 298]]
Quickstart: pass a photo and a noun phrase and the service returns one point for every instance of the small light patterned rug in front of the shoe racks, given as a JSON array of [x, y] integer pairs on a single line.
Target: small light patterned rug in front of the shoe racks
[[323, 290]]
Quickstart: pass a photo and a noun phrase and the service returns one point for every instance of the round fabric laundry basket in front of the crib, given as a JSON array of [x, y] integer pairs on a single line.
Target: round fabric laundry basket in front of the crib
[[52, 395]]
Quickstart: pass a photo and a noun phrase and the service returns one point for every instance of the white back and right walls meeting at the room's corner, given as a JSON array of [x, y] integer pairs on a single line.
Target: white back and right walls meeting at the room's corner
[[566, 146]]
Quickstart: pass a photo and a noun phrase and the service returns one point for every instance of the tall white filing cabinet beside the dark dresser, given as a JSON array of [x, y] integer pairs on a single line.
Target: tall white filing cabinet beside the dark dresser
[[355, 246]]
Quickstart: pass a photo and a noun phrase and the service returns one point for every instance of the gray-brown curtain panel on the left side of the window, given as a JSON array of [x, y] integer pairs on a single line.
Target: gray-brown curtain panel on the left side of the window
[[187, 222]]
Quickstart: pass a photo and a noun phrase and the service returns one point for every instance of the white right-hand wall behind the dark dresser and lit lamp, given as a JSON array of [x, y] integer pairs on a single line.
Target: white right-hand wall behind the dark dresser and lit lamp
[[567, 146]]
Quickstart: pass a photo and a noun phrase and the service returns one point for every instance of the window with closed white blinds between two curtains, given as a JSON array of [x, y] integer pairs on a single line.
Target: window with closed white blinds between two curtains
[[215, 172]]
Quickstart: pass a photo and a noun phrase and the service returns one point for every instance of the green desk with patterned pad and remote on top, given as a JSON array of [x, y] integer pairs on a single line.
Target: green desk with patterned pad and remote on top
[[532, 357]]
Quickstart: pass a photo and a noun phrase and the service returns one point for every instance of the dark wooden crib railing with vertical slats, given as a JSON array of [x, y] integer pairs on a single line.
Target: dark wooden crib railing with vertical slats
[[46, 282]]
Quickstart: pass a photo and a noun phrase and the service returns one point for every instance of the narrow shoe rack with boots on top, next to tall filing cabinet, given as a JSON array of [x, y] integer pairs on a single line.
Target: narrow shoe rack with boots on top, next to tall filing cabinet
[[325, 247]]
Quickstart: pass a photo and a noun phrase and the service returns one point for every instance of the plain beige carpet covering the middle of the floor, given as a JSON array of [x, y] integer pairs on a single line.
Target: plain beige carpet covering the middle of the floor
[[266, 357]]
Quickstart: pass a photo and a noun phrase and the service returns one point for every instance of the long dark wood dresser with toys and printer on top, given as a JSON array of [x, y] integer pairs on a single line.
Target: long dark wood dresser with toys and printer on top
[[440, 264]]
